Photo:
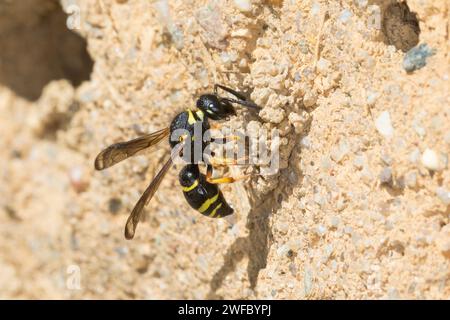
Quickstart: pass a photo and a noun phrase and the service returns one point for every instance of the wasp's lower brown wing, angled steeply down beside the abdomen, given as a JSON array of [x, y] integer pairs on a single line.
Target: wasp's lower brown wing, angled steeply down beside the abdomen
[[135, 215]]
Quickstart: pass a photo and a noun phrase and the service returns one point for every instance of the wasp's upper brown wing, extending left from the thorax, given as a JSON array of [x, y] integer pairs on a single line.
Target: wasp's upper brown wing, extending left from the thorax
[[123, 150]]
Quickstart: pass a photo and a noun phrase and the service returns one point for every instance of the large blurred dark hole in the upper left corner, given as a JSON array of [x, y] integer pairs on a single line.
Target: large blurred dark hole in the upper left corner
[[36, 47]]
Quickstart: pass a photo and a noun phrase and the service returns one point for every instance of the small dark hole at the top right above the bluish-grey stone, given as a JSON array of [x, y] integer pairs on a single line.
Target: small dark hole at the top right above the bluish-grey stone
[[400, 25]]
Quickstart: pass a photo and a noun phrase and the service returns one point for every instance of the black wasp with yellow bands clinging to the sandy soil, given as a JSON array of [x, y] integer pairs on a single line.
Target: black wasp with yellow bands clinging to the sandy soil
[[201, 191]]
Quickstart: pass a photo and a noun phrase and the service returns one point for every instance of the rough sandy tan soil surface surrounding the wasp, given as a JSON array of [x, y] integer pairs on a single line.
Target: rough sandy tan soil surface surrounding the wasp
[[360, 208]]
